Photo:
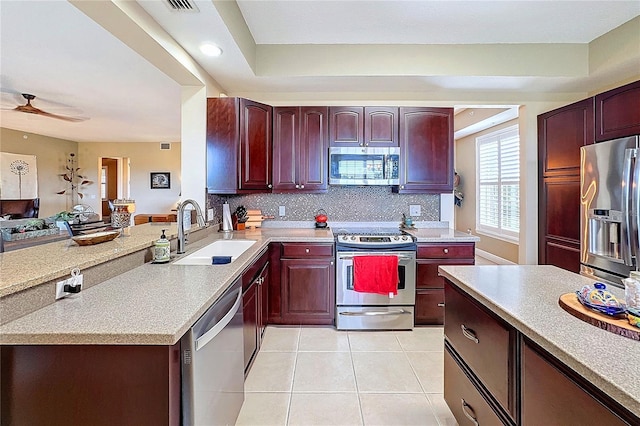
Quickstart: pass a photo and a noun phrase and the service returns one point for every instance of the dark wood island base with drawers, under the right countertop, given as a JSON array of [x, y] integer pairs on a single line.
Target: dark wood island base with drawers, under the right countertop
[[494, 375]]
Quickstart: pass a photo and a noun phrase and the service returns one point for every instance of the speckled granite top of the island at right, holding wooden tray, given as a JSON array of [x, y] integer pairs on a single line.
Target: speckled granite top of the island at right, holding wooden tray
[[526, 296]]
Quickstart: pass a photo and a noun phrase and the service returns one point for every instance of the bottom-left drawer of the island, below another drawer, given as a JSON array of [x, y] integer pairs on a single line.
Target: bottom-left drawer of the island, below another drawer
[[463, 399]]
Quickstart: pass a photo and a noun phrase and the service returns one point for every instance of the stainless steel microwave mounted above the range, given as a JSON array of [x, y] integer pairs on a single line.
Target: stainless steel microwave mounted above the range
[[364, 166]]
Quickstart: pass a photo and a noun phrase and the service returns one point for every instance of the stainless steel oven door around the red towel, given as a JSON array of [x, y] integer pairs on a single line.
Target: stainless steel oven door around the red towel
[[346, 295]]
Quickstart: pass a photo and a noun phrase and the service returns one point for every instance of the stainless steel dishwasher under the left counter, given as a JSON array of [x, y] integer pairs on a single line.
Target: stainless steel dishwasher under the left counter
[[213, 363]]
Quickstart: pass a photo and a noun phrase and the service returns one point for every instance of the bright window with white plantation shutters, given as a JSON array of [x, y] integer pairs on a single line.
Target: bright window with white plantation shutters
[[498, 188]]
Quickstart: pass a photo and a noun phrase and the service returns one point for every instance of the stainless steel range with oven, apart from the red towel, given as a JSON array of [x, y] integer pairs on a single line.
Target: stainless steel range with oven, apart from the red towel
[[370, 311]]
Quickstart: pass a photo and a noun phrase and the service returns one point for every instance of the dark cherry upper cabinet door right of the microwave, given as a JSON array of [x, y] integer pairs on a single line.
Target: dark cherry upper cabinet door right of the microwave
[[426, 150]]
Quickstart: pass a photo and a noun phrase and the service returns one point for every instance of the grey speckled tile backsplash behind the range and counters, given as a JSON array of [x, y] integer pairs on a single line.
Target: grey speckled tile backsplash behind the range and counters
[[370, 203]]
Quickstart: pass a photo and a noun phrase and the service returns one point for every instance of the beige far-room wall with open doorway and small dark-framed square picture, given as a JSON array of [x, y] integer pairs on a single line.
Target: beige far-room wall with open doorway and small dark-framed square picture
[[144, 158]]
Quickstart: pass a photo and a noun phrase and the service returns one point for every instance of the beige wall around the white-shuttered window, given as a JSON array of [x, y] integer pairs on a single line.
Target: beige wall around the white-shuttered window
[[465, 216]]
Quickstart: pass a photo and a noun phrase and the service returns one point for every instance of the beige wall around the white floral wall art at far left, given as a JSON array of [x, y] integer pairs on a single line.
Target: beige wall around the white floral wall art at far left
[[51, 157]]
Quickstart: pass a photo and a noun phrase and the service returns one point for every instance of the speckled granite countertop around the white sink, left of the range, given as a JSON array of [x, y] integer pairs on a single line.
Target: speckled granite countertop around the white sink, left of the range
[[153, 304]]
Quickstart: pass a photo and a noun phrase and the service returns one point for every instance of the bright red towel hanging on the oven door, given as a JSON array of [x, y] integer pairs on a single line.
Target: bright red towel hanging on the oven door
[[375, 274]]
